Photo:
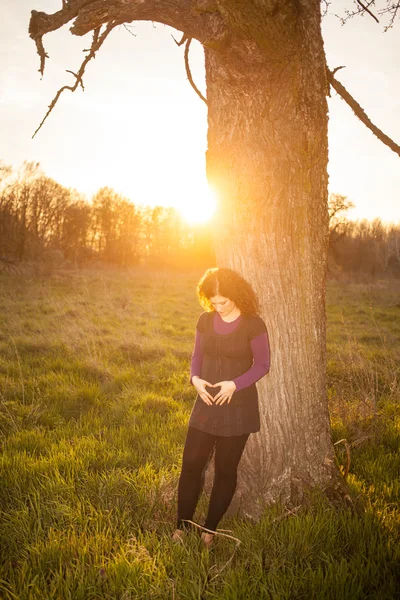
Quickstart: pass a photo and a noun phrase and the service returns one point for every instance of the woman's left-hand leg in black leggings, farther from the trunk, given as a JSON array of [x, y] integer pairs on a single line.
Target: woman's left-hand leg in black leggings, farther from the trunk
[[198, 447]]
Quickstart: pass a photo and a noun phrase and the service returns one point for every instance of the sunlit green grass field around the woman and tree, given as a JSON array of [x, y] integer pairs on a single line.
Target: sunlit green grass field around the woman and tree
[[94, 407]]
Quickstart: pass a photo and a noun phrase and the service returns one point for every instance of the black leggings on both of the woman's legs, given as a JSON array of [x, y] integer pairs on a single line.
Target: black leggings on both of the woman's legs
[[198, 448]]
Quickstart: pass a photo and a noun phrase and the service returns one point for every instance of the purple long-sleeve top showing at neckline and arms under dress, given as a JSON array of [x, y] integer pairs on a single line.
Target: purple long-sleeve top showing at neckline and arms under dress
[[259, 347]]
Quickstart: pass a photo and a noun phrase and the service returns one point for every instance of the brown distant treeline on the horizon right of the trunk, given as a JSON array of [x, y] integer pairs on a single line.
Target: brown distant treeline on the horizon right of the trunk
[[361, 248]]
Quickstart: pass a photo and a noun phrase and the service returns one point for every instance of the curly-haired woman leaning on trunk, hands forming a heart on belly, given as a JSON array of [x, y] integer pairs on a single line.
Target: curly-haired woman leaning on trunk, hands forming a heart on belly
[[231, 353]]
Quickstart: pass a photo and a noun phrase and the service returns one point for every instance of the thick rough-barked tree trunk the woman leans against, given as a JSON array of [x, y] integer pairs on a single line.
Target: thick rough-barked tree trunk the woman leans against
[[267, 158]]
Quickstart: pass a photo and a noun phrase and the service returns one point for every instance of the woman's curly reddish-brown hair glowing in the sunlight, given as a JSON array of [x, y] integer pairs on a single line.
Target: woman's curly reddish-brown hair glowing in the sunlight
[[228, 283]]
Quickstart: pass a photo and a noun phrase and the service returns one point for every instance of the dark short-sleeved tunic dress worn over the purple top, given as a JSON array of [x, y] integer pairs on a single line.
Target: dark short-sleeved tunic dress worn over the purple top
[[224, 358]]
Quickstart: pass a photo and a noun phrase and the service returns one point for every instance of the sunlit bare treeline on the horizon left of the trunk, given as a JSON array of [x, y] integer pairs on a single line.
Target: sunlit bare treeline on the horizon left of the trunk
[[40, 220]]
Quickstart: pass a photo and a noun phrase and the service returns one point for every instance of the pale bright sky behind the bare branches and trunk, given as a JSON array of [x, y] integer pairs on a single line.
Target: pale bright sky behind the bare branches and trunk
[[140, 128]]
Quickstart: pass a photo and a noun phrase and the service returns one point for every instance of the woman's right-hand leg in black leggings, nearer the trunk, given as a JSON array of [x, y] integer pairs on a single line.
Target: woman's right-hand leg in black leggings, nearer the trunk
[[228, 452]]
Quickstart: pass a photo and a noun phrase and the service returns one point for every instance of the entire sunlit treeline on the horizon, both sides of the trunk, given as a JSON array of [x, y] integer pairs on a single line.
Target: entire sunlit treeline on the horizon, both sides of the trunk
[[40, 220]]
